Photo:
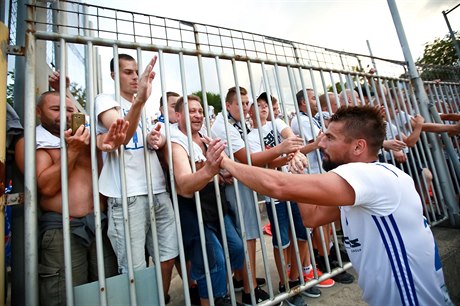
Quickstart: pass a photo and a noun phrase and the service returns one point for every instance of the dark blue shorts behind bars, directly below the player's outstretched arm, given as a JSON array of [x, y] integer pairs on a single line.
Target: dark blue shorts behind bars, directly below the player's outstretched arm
[[283, 223]]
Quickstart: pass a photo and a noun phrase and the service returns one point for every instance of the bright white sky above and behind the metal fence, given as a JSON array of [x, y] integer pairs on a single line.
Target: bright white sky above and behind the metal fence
[[336, 24]]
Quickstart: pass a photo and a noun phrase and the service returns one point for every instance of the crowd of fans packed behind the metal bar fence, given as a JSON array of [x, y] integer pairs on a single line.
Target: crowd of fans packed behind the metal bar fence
[[254, 134]]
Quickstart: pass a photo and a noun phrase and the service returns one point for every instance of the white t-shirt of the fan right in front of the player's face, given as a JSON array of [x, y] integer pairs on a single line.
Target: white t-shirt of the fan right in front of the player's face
[[308, 129]]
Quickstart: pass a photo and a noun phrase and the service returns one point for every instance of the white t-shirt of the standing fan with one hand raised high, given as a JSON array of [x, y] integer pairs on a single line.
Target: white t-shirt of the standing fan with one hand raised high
[[136, 178]]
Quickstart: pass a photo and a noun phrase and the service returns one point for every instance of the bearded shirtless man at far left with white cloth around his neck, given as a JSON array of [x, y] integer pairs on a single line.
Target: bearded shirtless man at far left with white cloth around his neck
[[80, 196]]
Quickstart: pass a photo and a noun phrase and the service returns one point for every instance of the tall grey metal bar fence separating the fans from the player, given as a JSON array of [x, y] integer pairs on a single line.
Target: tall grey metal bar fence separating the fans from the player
[[212, 59]]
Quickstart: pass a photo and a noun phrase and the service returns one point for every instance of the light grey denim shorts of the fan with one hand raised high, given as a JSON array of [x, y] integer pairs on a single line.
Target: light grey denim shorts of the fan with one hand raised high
[[141, 231]]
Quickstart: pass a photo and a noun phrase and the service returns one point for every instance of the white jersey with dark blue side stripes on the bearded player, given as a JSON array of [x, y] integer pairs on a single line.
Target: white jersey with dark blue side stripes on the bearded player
[[388, 239]]
